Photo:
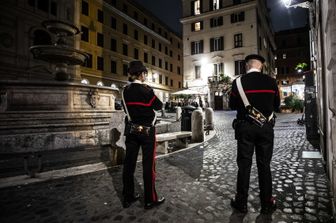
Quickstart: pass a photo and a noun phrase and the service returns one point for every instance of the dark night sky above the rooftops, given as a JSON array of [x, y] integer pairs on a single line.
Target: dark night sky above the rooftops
[[170, 11]]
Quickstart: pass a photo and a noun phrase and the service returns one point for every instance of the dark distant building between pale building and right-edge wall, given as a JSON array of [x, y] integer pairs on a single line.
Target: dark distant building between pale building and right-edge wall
[[292, 49]]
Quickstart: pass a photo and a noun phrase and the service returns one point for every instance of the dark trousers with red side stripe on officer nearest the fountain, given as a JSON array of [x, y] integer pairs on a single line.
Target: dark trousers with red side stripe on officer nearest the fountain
[[133, 144]]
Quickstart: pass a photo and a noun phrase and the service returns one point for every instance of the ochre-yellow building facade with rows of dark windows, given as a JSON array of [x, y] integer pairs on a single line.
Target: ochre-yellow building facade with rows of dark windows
[[117, 32]]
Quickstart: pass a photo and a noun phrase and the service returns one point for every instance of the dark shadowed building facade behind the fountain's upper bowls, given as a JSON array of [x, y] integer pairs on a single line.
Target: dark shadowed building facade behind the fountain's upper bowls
[[20, 28]]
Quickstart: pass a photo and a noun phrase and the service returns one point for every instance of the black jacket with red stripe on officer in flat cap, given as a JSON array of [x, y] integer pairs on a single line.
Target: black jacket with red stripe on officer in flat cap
[[261, 91]]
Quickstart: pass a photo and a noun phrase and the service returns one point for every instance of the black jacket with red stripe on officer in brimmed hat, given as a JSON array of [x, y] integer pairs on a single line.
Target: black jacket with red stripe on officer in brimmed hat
[[141, 100]]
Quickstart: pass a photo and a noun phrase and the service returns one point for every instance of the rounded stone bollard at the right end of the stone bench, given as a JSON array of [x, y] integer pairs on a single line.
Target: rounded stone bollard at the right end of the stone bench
[[197, 126]]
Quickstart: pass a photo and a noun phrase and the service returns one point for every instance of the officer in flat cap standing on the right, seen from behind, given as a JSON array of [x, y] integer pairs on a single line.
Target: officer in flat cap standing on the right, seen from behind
[[262, 93]]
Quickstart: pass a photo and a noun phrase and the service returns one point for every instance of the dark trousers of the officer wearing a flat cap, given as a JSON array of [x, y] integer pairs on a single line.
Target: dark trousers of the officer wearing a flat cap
[[251, 137]]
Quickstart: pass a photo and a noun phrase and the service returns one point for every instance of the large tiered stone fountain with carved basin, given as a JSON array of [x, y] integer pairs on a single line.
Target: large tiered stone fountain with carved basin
[[62, 119]]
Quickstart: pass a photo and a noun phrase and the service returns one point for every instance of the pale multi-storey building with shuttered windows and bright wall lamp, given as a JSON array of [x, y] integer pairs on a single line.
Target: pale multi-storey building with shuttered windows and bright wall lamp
[[217, 35]]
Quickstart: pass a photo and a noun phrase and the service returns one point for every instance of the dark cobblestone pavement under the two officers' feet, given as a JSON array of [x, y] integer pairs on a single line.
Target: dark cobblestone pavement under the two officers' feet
[[197, 183]]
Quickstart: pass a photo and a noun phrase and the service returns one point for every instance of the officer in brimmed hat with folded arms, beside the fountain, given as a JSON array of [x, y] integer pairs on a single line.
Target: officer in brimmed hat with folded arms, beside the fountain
[[140, 103]]
